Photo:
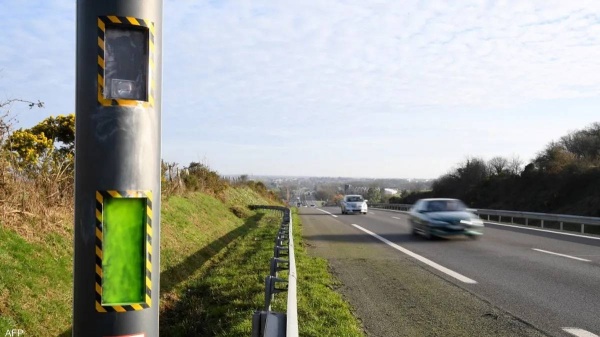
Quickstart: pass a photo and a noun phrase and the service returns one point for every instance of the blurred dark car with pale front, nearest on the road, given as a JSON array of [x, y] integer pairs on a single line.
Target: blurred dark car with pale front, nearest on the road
[[444, 218]]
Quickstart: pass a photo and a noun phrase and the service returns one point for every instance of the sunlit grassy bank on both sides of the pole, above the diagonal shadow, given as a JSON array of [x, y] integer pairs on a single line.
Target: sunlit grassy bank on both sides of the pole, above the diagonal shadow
[[36, 275]]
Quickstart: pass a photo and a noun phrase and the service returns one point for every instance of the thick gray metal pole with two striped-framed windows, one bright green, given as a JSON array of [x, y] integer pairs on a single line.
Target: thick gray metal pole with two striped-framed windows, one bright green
[[117, 168]]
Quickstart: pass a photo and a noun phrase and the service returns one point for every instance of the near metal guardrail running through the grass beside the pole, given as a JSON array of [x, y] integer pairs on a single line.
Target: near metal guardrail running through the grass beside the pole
[[266, 323]]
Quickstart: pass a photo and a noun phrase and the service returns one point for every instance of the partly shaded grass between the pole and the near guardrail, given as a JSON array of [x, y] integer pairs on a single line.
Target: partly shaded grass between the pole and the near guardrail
[[222, 300]]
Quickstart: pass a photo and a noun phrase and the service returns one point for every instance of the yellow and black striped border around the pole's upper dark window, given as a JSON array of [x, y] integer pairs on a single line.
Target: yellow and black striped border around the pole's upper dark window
[[103, 21]]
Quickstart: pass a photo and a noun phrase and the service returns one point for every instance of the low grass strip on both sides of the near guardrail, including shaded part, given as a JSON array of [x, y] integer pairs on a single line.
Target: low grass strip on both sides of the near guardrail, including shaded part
[[222, 300]]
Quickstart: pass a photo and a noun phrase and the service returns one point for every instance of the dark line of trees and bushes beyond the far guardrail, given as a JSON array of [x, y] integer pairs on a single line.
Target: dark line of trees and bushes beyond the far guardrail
[[562, 178]]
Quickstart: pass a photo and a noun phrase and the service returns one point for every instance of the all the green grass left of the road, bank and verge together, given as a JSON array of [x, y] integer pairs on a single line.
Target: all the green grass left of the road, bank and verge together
[[214, 257]]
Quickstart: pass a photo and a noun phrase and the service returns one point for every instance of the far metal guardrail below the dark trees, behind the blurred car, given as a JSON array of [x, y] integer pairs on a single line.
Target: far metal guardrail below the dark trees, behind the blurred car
[[563, 222]]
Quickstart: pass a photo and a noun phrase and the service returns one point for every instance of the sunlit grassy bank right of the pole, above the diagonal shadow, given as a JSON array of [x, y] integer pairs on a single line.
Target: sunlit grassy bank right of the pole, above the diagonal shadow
[[194, 228]]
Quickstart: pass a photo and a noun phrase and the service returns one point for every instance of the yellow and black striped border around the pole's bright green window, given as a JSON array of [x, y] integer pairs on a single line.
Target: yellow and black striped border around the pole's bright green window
[[100, 197]]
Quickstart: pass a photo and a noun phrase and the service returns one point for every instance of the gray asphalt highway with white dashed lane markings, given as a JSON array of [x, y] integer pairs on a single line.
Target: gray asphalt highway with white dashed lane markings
[[511, 281]]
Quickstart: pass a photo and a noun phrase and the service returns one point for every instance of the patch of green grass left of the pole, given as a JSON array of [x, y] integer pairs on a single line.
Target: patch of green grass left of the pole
[[35, 284]]
